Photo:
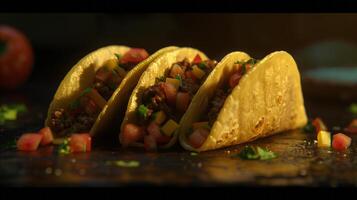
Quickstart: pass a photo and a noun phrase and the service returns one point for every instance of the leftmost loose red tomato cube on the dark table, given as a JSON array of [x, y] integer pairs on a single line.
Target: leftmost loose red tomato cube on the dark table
[[29, 142]]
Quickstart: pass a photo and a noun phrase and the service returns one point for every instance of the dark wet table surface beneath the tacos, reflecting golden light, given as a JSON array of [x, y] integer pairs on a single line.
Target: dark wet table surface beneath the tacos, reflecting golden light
[[299, 161]]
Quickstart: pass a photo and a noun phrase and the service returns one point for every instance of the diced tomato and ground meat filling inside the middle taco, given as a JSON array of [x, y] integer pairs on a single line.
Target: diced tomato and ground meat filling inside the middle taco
[[164, 103]]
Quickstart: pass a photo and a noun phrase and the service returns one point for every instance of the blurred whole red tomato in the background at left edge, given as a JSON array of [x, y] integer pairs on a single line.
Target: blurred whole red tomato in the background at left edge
[[16, 58]]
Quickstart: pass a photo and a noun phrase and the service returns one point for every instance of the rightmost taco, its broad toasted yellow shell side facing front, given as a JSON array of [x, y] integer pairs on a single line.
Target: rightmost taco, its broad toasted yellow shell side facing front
[[244, 99]]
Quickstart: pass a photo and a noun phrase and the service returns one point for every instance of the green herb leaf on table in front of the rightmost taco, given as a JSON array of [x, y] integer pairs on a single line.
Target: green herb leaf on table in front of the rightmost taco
[[256, 153]]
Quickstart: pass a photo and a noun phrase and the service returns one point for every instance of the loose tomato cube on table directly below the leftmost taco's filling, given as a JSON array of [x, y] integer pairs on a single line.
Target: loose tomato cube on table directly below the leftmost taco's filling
[[80, 142]]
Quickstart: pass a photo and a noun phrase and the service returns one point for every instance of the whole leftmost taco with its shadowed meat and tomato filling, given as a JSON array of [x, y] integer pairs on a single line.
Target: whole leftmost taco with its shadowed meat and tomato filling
[[96, 90]]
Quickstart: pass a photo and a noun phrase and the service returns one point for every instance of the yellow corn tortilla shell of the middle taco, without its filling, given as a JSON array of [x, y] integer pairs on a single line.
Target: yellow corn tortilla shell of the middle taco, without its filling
[[155, 70]]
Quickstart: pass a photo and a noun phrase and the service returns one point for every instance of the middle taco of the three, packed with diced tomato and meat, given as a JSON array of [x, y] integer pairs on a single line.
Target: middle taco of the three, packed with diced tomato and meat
[[162, 96]]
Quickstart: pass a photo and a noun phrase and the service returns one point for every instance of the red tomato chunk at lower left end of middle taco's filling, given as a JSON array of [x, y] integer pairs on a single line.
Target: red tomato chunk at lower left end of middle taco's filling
[[131, 133]]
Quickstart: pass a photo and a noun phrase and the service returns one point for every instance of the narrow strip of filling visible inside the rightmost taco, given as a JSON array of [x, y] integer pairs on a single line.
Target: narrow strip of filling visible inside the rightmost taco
[[201, 130]]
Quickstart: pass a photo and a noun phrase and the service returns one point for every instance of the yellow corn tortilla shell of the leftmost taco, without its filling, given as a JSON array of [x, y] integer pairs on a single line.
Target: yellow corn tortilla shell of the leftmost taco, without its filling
[[81, 76]]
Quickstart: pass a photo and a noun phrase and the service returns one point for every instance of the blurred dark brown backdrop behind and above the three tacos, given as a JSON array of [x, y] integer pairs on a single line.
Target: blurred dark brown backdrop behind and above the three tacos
[[61, 39]]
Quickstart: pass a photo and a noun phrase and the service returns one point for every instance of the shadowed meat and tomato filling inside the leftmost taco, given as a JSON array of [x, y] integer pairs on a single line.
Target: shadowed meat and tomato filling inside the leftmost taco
[[81, 114]]
